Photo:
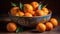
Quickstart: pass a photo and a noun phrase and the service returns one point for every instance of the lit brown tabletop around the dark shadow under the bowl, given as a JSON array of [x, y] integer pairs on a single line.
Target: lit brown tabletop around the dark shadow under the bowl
[[5, 20]]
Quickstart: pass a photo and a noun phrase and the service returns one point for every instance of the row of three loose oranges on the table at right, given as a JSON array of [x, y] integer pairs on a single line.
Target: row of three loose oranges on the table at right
[[47, 26]]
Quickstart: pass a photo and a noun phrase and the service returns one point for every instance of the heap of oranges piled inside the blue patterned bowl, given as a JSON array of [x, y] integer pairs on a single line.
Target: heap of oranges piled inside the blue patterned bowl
[[29, 10]]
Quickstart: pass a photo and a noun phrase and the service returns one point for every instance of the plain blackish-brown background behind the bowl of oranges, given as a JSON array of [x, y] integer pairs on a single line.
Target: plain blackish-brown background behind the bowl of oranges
[[54, 5]]
